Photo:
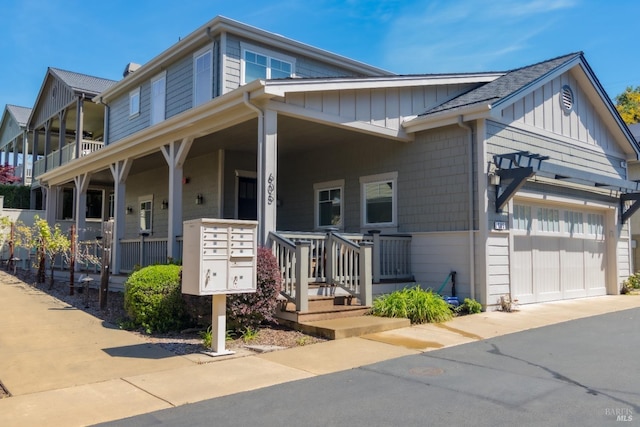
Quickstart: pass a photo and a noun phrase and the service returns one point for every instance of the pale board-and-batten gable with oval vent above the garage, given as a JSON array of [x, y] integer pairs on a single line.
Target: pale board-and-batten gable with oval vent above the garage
[[542, 109]]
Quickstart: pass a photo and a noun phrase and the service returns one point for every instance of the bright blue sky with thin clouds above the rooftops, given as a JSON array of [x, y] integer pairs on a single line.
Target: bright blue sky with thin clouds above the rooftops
[[403, 36]]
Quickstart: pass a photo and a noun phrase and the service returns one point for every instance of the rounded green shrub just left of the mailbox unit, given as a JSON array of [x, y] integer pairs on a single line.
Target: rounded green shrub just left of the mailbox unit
[[153, 298]]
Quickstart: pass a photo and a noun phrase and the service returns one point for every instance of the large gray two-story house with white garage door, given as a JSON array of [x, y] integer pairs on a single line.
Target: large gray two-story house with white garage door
[[512, 179]]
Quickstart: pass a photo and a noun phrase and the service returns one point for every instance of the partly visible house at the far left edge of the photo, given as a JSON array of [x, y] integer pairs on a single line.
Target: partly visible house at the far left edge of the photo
[[14, 139]]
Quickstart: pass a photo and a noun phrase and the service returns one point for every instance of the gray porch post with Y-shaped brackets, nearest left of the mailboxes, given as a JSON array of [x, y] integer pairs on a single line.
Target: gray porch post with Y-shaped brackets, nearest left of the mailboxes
[[175, 153]]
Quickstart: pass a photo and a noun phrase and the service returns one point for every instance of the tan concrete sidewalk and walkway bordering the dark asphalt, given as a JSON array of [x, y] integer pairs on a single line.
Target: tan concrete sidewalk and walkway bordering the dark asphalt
[[65, 368]]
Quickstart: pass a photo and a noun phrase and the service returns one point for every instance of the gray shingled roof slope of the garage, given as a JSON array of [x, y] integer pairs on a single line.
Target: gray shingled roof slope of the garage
[[501, 87]]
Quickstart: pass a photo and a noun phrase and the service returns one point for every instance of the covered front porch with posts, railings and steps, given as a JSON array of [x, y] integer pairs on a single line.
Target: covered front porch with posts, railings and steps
[[250, 156]]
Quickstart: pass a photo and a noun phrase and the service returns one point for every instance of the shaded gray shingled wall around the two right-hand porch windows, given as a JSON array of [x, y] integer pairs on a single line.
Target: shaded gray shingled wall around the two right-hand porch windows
[[431, 185]]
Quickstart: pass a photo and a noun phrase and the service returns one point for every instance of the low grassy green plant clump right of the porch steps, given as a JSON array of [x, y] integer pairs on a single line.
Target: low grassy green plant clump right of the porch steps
[[416, 304]]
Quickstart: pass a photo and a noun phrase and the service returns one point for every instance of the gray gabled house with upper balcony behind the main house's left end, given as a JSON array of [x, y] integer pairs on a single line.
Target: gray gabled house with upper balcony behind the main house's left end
[[66, 125]]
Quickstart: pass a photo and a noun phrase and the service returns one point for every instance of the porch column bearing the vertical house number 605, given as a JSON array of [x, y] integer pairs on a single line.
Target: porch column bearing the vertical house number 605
[[267, 175]]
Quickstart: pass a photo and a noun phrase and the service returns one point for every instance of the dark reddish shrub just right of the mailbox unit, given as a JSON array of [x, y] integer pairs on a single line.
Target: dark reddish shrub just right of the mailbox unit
[[248, 310]]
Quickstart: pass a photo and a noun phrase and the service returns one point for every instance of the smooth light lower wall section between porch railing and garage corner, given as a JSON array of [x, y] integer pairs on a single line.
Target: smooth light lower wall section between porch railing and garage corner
[[435, 255]]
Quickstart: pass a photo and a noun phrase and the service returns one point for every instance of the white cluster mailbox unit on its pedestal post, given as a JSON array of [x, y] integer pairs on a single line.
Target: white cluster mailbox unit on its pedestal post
[[219, 258]]
